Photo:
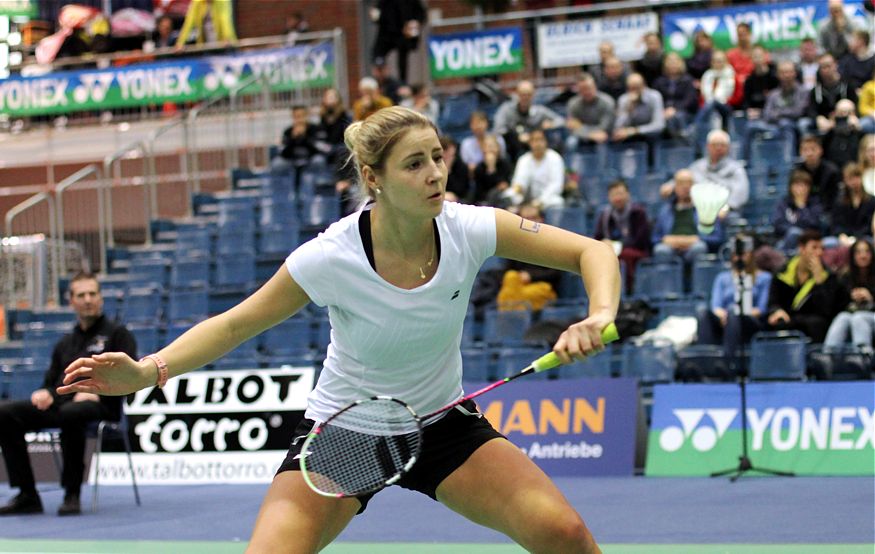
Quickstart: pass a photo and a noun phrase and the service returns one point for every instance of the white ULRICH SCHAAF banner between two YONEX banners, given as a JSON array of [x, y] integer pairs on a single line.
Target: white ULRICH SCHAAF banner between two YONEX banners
[[570, 43]]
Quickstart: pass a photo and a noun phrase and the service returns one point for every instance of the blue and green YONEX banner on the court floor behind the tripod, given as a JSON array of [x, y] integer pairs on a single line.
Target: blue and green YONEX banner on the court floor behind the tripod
[[806, 428]]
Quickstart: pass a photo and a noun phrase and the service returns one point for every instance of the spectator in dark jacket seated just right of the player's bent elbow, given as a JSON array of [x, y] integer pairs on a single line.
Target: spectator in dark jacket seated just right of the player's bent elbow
[[624, 225]]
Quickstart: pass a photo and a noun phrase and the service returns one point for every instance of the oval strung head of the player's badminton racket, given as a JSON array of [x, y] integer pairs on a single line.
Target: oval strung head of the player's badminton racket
[[363, 448]]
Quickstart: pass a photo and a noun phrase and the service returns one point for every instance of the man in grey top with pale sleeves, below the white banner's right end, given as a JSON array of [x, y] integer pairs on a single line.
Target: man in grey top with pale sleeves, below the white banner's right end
[[639, 115]]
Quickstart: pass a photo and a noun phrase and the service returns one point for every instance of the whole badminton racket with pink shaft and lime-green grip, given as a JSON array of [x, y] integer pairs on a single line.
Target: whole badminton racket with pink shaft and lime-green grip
[[372, 443]]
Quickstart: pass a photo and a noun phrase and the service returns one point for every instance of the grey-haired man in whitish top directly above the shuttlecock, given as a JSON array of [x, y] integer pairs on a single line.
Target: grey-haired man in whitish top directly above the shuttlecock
[[719, 168]]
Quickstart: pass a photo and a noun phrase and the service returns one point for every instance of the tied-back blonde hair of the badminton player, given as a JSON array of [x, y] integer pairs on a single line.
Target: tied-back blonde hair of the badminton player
[[371, 140]]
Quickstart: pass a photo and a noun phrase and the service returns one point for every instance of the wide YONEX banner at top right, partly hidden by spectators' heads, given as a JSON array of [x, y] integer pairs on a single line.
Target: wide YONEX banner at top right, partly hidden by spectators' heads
[[774, 25]]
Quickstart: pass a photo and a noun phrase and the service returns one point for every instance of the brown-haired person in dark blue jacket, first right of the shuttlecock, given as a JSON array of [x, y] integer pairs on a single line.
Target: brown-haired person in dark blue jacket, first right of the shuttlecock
[[796, 212]]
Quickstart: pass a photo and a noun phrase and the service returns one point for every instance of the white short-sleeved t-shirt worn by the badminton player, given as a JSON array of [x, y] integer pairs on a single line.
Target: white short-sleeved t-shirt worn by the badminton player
[[386, 340]]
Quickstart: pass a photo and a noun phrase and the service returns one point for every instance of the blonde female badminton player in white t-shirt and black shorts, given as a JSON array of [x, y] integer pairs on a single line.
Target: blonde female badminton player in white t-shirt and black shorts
[[396, 278]]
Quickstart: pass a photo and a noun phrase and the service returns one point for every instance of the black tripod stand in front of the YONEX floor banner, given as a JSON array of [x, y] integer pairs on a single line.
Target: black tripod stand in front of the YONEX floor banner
[[744, 464]]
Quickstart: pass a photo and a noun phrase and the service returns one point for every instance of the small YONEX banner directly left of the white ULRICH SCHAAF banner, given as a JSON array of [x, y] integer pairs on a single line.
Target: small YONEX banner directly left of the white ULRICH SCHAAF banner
[[477, 53]]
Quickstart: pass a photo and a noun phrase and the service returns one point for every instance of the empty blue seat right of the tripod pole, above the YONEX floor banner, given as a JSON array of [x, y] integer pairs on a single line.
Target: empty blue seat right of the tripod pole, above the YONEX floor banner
[[778, 355]]
